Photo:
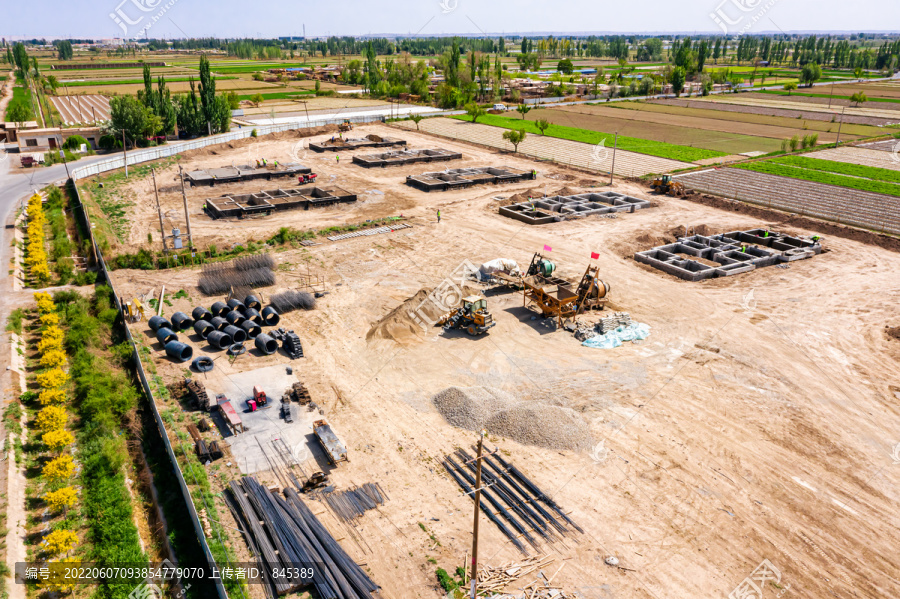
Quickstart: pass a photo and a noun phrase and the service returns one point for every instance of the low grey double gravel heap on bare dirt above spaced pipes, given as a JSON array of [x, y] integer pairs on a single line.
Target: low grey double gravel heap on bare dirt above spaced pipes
[[500, 413]]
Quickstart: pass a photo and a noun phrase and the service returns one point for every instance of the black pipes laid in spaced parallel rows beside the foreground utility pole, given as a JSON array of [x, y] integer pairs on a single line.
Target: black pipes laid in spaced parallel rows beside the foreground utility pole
[[516, 501]]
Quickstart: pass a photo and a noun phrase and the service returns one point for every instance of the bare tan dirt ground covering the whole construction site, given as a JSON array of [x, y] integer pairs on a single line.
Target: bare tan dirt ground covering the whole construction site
[[757, 422]]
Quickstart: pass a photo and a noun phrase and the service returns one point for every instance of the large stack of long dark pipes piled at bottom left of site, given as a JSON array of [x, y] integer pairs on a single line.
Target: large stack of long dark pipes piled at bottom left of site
[[292, 530]]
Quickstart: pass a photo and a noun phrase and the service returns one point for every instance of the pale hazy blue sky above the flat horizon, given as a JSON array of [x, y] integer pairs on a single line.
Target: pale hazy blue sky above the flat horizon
[[270, 18]]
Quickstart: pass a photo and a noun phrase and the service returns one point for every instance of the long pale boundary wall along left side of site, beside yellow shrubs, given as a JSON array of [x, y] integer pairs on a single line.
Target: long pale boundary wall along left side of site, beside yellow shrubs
[[139, 366]]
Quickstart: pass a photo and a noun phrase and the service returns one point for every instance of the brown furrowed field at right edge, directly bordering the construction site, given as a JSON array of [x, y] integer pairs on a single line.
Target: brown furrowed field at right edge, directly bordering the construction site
[[848, 206]]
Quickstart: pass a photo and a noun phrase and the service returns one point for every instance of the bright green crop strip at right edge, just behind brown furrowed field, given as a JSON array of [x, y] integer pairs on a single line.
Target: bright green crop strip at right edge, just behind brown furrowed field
[[851, 176]]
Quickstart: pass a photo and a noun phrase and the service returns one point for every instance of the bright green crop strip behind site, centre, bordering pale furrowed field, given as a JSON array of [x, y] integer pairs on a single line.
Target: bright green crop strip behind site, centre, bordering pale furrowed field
[[643, 146]]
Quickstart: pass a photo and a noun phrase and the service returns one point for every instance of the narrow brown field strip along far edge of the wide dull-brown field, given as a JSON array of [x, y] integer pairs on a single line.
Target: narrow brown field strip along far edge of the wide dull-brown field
[[800, 126]]
